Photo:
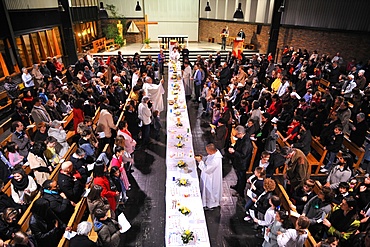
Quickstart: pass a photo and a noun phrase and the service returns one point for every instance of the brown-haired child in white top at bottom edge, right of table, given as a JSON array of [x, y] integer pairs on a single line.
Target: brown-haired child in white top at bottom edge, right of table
[[294, 237]]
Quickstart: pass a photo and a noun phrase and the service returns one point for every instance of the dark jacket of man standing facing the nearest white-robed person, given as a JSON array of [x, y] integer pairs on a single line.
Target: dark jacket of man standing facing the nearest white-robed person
[[243, 150]]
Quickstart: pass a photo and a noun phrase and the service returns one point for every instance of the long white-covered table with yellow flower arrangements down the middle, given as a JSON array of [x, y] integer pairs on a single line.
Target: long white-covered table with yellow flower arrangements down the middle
[[177, 196]]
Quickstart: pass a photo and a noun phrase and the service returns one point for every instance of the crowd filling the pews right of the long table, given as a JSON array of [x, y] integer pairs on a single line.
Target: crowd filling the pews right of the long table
[[257, 98]]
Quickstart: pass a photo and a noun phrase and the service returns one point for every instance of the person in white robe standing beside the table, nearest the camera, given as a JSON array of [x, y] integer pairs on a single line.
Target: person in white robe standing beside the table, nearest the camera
[[211, 177]]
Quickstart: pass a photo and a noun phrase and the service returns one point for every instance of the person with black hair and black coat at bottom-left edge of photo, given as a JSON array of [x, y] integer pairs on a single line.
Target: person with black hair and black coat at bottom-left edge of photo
[[44, 225]]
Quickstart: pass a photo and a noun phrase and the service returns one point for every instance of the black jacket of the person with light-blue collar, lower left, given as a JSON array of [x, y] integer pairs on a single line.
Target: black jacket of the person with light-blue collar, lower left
[[61, 207]]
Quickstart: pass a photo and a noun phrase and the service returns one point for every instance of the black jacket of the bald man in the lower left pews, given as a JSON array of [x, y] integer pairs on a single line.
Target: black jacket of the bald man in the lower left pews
[[72, 189]]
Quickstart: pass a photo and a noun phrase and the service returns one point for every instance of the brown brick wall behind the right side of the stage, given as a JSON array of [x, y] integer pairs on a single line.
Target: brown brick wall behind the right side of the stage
[[349, 44]]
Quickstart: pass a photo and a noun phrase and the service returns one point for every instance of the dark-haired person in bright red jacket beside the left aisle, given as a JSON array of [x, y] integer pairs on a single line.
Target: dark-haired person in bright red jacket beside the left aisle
[[101, 179]]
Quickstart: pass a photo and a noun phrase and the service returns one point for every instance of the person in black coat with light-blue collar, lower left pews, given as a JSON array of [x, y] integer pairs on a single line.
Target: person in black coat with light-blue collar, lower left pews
[[58, 202]]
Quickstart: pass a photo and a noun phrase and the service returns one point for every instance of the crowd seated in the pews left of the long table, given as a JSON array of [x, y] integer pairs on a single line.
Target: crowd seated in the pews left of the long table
[[49, 97]]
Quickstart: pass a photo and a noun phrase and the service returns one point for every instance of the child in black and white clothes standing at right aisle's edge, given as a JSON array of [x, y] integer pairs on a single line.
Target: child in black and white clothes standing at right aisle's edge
[[255, 184]]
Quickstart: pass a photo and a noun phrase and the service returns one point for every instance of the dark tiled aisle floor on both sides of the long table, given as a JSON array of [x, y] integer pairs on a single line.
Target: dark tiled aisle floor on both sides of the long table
[[146, 205]]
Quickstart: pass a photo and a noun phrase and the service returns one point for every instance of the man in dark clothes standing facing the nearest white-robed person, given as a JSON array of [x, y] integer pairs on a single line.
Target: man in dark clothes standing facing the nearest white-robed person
[[240, 156]]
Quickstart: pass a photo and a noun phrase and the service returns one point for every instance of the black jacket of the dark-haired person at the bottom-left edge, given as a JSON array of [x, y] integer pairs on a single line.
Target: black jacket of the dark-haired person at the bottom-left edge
[[45, 232]]
